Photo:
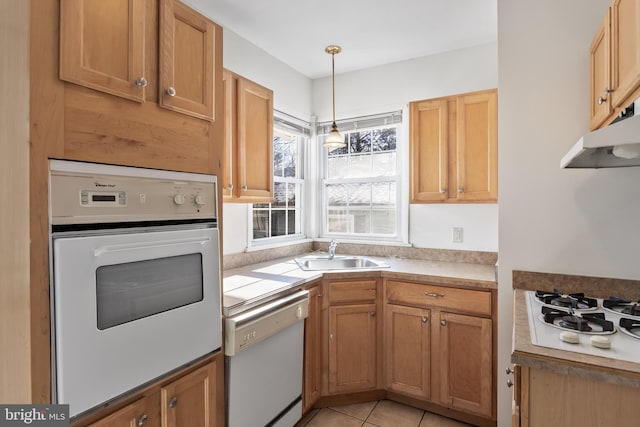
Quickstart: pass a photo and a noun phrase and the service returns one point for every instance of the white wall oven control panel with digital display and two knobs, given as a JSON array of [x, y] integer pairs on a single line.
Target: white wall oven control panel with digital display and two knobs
[[91, 193]]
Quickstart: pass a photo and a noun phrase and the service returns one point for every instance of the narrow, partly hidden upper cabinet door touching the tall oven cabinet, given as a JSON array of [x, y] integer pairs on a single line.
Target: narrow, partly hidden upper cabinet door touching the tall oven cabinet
[[229, 150]]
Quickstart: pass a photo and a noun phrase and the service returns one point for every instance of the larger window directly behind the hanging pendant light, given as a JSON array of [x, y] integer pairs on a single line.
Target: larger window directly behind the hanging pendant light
[[361, 187]]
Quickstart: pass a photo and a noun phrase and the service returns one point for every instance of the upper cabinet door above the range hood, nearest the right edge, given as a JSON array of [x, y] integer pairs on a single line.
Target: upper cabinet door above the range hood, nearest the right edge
[[625, 49]]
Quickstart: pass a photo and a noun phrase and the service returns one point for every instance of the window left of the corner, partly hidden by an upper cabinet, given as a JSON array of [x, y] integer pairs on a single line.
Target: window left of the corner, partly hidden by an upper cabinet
[[283, 219]]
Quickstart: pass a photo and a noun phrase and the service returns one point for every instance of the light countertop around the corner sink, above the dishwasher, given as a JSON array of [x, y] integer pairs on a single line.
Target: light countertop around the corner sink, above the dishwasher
[[255, 284]]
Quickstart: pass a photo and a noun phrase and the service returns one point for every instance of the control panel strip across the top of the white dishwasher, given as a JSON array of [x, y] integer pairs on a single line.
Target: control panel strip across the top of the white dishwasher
[[250, 327]]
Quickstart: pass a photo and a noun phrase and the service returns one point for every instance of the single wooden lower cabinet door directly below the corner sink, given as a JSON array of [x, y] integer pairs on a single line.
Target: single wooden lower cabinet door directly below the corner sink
[[352, 348]]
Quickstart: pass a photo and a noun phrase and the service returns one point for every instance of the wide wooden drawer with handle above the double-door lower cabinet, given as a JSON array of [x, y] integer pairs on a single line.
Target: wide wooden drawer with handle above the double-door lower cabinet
[[416, 294]]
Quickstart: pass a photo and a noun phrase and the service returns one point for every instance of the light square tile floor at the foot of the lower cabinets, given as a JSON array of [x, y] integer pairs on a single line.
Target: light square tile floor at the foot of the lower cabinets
[[382, 413]]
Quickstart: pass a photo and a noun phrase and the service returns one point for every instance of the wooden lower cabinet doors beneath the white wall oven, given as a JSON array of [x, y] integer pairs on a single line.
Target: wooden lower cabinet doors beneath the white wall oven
[[195, 399]]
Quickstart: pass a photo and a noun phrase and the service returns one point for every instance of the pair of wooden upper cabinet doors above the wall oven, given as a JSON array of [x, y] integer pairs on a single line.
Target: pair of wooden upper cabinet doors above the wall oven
[[105, 45]]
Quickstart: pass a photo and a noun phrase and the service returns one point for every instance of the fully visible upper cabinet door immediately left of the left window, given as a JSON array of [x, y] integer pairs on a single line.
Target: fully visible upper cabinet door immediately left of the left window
[[255, 141]]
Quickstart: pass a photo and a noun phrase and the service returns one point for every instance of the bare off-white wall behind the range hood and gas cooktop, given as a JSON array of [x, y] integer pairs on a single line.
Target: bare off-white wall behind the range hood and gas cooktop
[[551, 220]]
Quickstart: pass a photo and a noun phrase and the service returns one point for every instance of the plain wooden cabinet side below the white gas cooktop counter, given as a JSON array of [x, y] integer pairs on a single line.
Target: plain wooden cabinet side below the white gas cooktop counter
[[548, 398]]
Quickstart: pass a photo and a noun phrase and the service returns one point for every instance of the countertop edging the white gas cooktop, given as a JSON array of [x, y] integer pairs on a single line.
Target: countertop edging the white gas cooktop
[[565, 362]]
